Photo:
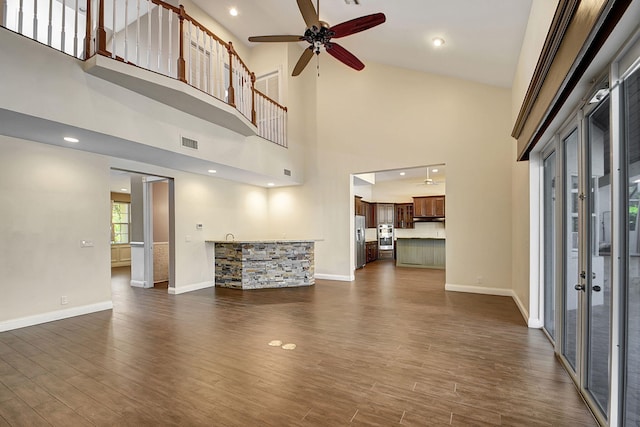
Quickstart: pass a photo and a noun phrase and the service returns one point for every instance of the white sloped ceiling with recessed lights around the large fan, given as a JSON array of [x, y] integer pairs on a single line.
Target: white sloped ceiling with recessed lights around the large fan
[[482, 37]]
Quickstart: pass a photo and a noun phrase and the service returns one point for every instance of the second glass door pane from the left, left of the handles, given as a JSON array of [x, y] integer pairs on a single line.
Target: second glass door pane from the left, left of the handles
[[570, 316]]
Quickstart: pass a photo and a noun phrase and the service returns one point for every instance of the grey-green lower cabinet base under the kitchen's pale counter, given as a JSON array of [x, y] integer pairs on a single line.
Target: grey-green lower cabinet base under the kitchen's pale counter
[[422, 253]]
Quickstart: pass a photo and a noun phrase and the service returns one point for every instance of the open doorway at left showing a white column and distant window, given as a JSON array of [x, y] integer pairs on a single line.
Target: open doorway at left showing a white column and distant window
[[142, 244]]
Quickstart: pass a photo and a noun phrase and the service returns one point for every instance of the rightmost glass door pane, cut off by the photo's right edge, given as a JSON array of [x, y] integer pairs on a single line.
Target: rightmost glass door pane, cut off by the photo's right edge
[[631, 114]]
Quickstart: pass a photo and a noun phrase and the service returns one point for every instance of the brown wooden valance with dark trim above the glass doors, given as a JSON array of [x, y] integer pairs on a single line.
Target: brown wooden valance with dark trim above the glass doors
[[590, 25]]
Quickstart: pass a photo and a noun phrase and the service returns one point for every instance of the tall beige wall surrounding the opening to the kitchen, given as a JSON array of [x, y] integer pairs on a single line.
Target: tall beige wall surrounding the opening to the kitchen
[[384, 118]]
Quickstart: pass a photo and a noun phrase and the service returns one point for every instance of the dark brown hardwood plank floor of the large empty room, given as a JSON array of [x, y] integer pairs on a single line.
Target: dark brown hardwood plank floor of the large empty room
[[391, 348]]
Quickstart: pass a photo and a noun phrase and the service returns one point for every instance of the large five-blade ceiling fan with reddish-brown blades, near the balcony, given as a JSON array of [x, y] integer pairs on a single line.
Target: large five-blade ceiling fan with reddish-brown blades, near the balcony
[[319, 34]]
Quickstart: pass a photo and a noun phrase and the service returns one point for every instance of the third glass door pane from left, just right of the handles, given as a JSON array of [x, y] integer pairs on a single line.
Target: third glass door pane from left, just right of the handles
[[598, 260]]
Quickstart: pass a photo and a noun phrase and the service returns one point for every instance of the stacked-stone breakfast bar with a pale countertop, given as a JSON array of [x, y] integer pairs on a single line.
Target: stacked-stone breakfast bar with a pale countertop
[[263, 264]]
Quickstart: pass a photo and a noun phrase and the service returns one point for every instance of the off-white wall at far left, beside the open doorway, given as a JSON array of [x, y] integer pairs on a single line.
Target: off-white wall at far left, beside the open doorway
[[52, 198]]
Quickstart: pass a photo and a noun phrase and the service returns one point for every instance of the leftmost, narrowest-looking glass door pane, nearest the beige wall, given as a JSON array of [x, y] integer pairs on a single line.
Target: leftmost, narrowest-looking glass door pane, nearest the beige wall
[[549, 244]]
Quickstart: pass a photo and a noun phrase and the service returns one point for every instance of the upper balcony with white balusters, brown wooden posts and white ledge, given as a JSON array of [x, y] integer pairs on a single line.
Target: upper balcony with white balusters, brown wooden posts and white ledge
[[157, 50]]
